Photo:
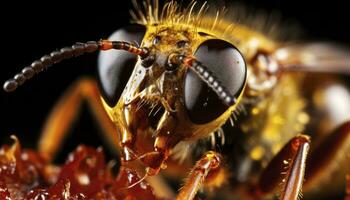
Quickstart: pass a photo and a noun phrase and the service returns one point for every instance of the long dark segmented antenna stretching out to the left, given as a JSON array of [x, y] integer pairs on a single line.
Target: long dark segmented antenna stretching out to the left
[[67, 53]]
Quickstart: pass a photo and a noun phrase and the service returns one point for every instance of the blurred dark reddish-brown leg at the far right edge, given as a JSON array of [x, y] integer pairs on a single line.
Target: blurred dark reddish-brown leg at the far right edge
[[328, 152]]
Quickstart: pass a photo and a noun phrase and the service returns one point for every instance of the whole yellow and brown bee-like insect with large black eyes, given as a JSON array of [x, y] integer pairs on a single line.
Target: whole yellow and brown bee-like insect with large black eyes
[[191, 89]]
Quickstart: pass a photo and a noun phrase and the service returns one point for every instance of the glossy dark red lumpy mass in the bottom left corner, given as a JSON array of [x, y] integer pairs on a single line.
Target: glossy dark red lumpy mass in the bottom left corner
[[24, 174]]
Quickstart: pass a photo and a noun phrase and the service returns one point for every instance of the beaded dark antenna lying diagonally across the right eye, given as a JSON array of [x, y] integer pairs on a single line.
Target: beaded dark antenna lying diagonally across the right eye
[[209, 78]]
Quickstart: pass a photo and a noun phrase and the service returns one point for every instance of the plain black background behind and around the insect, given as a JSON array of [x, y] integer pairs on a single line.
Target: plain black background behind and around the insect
[[30, 30]]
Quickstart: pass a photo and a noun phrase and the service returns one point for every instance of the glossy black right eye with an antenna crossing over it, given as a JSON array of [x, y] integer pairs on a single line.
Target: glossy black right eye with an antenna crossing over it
[[227, 64]]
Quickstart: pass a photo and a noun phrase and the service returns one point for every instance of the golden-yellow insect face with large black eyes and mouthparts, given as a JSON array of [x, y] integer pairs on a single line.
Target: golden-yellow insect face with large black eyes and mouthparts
[[163, 97]]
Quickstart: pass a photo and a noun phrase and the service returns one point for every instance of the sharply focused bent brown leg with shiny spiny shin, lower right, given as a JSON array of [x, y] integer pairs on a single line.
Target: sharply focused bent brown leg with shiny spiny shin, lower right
[[287, 167]]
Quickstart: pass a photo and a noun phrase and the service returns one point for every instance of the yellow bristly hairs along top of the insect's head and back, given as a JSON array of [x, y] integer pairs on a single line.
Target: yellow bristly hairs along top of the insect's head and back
[[220, 22]]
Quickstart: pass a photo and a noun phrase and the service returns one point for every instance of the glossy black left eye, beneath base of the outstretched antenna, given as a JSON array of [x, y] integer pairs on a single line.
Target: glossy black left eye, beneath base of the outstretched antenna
[[115, 67]]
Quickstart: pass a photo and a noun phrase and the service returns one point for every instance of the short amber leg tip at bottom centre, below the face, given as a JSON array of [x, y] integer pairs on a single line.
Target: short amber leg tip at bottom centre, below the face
[[209, 163]]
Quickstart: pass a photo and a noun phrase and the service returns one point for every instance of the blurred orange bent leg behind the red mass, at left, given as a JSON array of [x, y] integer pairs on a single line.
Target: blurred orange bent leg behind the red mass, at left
[[65, 112]]
